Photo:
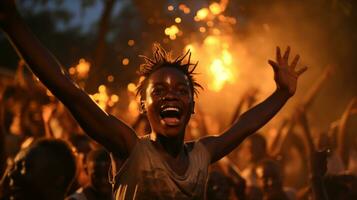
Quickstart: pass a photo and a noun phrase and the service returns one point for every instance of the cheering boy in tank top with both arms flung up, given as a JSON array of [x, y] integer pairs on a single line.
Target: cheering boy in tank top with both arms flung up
[[161, 165]]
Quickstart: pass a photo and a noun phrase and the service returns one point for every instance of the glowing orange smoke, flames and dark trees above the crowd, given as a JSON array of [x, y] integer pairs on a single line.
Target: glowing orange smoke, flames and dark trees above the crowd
[[98, 42]]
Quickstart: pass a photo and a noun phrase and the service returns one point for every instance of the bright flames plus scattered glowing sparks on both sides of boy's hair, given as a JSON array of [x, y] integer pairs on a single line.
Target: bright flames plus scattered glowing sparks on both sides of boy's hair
[[214, 53]]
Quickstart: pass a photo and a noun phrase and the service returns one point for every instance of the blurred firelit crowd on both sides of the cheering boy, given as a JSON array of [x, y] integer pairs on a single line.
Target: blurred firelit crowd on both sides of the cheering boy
[[44, 150]]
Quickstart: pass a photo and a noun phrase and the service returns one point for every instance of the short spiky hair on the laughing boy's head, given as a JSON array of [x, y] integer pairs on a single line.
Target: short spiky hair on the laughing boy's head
[[162, 59]]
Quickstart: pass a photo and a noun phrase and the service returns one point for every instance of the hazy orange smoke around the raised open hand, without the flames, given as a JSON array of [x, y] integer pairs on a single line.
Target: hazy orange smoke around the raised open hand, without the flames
[[321, 32]]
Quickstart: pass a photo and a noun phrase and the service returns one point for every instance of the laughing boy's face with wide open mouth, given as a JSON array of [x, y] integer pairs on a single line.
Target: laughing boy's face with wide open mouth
[[168, 101]]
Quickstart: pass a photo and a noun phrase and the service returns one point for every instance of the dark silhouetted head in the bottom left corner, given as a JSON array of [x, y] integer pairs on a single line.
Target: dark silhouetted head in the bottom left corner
[[42, 171]]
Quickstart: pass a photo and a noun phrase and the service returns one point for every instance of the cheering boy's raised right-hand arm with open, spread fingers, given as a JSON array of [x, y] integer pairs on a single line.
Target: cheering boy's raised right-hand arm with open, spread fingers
[[286, 79]]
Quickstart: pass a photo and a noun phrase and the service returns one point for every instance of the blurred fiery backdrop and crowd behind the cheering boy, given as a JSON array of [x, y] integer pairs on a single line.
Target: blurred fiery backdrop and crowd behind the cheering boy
[[99, 43]]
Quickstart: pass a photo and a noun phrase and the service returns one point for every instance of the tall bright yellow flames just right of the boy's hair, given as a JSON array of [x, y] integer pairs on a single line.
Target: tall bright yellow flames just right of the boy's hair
[[214, 53]]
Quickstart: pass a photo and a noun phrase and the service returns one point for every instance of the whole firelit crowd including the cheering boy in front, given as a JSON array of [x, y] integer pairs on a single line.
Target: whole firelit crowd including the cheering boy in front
[[69, 148]]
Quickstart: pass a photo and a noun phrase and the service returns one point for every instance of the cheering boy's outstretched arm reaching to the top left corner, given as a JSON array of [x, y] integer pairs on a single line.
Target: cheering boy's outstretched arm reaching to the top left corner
[[113, 134]]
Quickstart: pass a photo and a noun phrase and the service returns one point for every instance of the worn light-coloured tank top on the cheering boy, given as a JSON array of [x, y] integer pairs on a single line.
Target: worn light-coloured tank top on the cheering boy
[[145, 175]]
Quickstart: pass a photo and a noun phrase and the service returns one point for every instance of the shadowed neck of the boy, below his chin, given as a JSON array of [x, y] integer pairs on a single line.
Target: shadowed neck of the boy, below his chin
[[171, 145]]
